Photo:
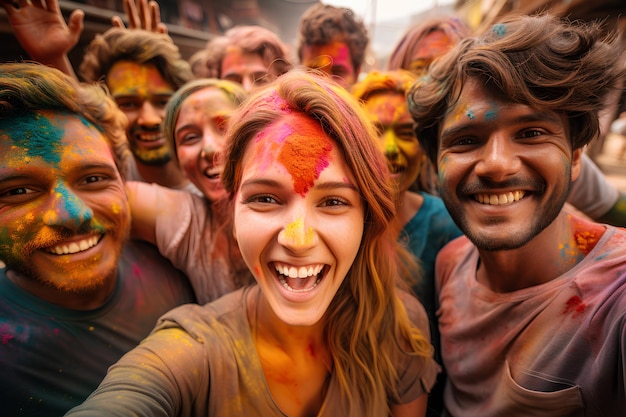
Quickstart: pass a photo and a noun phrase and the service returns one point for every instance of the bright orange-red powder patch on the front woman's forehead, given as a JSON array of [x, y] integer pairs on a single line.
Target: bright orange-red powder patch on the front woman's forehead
[[304, 154]]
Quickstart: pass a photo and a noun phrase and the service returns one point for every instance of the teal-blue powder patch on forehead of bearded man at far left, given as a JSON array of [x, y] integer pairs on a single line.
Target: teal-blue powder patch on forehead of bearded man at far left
[[36, 134]]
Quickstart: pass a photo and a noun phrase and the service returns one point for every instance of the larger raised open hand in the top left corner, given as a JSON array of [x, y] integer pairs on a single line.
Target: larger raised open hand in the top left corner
[[41, 30]]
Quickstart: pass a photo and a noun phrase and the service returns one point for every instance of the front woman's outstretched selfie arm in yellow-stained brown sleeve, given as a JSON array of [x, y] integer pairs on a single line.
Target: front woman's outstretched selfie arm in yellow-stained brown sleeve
[[161, 377]]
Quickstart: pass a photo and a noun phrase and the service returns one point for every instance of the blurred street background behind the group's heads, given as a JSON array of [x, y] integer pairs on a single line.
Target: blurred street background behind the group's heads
[[192, 23]]
